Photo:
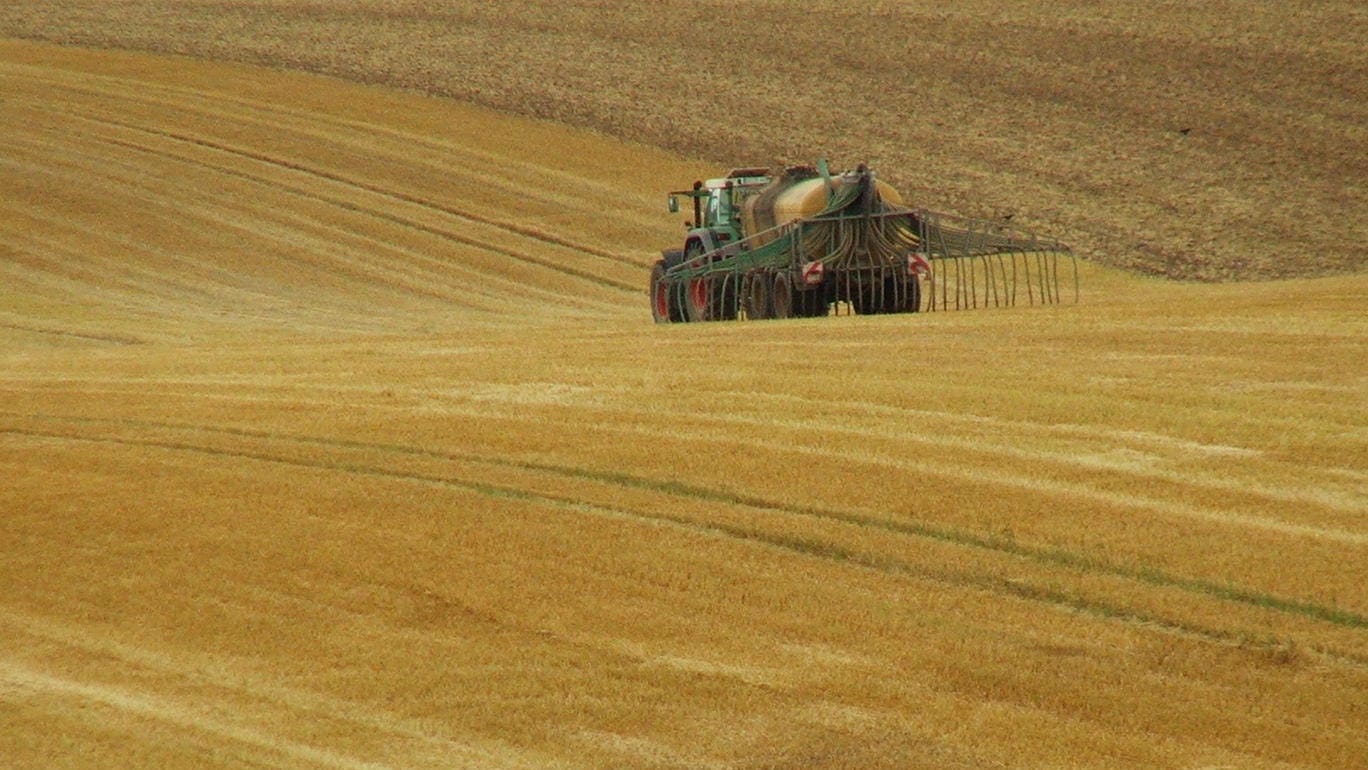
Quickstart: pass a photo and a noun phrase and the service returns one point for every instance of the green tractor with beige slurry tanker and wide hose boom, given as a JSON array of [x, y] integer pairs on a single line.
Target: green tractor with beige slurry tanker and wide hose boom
[[804, 241]]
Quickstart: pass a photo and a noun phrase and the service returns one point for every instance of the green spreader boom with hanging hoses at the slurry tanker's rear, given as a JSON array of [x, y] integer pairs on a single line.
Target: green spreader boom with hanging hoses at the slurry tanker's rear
[[864, 247]]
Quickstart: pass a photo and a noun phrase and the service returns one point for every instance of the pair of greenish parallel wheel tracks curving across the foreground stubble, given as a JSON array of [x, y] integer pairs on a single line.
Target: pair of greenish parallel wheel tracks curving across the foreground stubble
[[274, 448]]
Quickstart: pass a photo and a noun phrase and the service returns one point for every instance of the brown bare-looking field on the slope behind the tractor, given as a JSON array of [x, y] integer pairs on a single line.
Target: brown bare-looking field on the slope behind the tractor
[[1195, 140]]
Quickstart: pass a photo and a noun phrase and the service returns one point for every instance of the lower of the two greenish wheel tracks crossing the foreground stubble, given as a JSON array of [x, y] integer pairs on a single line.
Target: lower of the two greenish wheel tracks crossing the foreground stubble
[[802, 546]]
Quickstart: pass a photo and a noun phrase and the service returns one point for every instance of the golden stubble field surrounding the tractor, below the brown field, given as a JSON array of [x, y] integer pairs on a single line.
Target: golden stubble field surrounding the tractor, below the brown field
[[334, 434]]
